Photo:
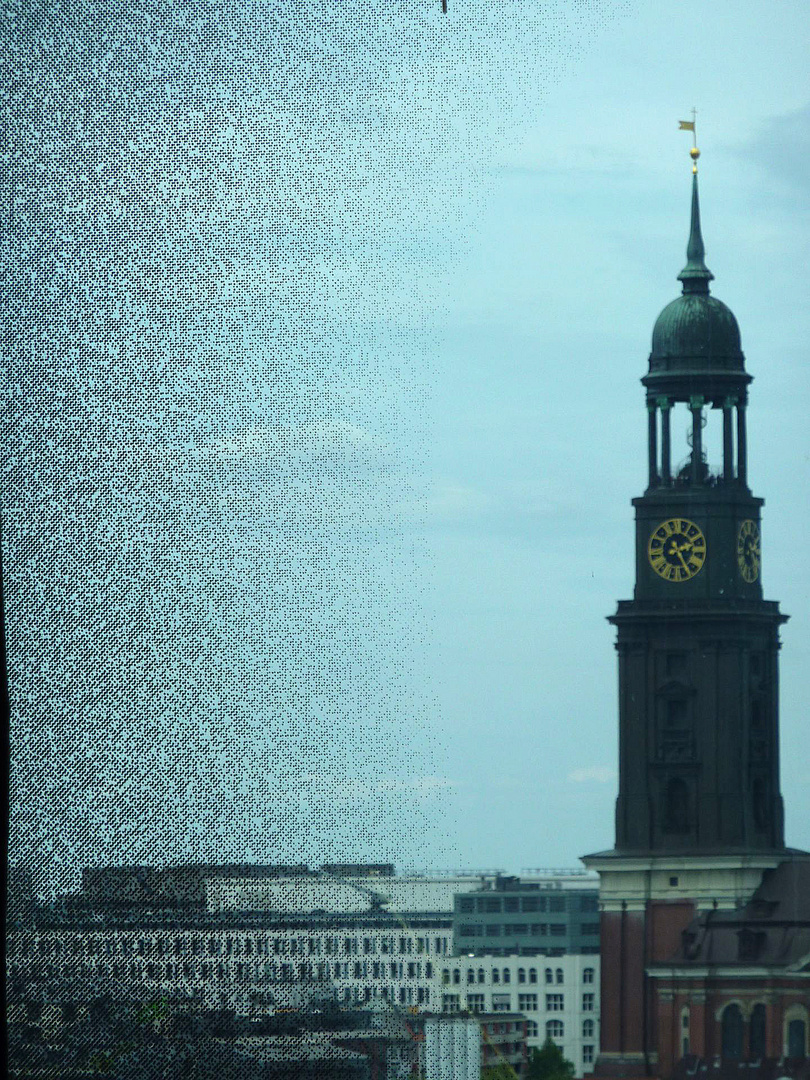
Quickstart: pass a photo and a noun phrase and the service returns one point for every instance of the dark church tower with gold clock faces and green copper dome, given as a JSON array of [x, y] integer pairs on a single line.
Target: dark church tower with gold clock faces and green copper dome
[[699, 816]]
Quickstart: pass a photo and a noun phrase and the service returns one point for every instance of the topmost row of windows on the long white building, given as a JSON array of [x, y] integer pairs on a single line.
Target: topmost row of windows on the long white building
[[228, 946]]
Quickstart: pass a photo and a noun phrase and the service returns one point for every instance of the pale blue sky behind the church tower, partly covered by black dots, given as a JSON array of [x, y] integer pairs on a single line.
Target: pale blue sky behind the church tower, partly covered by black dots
[[359, 414]]
